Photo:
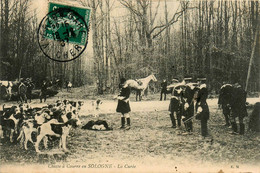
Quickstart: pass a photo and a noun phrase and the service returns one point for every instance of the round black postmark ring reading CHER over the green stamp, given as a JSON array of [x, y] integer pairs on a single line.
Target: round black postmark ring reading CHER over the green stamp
[[63, 35]]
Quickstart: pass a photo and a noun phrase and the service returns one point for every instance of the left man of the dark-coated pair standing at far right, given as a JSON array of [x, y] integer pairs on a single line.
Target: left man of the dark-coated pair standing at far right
[[224, 101]]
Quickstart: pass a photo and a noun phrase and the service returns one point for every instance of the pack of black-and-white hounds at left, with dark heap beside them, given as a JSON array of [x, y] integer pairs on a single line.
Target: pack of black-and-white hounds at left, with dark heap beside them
[[26, 124]]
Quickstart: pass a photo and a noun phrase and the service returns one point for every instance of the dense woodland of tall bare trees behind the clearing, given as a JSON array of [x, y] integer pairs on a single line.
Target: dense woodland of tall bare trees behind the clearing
[[212, 38]]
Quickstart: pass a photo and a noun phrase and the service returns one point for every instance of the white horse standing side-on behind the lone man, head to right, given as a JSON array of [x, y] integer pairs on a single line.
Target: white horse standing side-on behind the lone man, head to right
[[140, 85]]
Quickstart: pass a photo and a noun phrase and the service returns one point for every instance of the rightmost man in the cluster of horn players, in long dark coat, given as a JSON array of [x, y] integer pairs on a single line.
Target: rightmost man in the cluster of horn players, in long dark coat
[[201, 106]]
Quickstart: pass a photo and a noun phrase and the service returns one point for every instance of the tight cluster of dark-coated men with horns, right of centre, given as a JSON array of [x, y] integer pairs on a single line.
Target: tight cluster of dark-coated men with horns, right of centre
[[188, 101]]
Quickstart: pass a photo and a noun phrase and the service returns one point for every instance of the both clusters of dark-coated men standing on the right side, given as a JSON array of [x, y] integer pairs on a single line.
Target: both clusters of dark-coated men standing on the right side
[[189, 101]]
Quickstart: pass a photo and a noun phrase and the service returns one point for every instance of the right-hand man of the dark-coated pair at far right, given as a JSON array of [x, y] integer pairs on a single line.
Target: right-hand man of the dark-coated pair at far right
[[238, 108]]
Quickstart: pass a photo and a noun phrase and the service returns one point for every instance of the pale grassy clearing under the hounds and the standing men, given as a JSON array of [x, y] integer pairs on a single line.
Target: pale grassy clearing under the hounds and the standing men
[[151, 143]]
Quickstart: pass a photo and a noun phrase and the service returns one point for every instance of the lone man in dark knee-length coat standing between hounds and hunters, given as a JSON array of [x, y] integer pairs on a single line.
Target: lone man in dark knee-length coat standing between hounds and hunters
[[123, 103]]
